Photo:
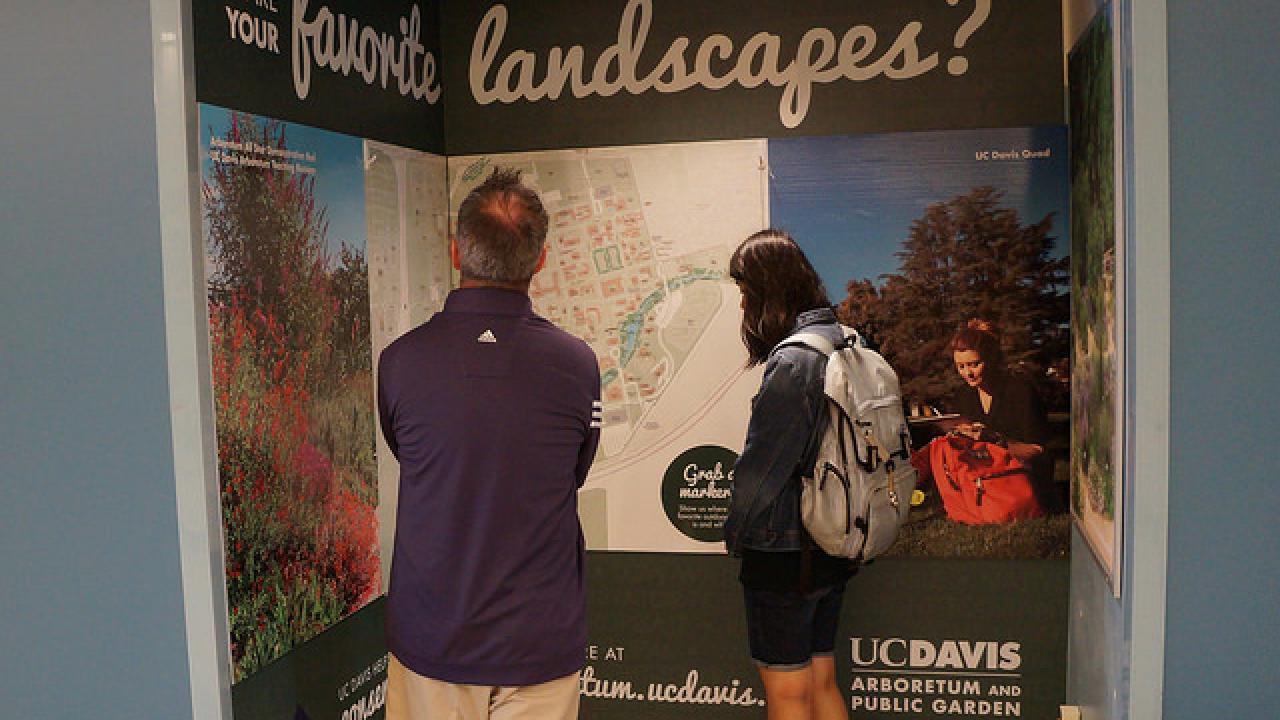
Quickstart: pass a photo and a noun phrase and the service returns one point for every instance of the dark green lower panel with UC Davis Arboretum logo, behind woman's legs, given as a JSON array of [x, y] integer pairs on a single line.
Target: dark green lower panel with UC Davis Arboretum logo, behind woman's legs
[[679, 623]]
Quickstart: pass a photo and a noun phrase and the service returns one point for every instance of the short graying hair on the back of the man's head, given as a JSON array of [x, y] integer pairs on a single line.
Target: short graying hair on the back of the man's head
[[502, 227]]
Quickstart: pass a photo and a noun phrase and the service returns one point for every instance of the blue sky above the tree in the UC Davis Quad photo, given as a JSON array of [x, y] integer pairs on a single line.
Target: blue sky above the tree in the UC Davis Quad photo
[[851, 200]]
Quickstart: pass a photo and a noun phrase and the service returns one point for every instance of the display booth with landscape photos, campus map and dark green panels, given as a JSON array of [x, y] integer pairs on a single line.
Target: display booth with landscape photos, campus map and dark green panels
[[916, 149]]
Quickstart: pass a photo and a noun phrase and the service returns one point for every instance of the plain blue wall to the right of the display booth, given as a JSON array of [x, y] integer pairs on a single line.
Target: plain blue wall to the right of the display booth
[[1223, 636]]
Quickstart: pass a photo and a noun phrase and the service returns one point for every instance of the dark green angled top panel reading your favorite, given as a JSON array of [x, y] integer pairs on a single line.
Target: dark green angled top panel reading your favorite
[[273, 58]]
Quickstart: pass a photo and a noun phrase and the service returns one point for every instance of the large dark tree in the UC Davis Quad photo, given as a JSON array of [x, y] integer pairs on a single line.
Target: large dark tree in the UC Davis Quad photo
[[967, 258]]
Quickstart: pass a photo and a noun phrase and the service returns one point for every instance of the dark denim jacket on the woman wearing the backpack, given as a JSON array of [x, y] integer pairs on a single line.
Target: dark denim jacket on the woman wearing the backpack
[[765, 511]]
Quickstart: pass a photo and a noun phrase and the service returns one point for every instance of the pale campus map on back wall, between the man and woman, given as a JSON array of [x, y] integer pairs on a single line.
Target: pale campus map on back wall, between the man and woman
[[638, 266]]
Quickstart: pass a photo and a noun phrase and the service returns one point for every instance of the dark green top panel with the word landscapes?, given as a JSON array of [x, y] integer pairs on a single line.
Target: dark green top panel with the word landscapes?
[[1013, 74]]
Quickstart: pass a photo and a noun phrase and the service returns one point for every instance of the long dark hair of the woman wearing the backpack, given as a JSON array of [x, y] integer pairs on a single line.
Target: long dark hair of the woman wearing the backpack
[[778, 284]]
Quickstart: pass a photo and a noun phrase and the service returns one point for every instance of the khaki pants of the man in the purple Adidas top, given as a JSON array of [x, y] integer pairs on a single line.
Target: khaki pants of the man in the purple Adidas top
[[414, 698]]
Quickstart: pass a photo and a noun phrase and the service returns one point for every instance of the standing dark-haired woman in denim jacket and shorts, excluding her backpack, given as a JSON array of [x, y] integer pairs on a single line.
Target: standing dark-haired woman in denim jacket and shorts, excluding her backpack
[[793, 590]]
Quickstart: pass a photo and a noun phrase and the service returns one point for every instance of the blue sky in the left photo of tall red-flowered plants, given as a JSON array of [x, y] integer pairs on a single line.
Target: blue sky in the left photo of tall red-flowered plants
[[340, 180]]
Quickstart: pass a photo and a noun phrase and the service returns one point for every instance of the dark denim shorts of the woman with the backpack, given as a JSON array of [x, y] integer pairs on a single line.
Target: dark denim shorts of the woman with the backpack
[[788, 630]]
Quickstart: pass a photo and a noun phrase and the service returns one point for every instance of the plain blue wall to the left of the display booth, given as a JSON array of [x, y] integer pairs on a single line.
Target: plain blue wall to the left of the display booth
[[92, 598]]
